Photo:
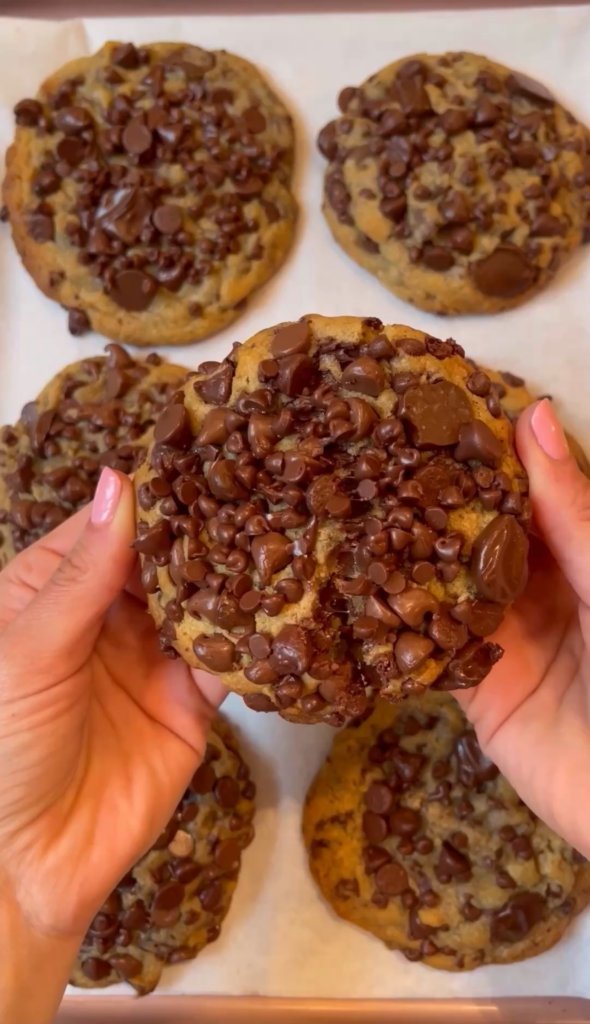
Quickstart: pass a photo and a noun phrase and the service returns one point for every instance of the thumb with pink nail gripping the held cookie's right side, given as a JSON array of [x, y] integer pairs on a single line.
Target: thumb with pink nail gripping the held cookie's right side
[[560, 493]]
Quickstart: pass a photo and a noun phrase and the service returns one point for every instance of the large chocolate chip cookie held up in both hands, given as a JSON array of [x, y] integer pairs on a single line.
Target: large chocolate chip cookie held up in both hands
[[334, 510]]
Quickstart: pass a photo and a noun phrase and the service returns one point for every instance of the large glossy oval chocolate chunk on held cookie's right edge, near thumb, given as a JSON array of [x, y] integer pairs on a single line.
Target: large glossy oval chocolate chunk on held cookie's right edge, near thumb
[[499, 561]]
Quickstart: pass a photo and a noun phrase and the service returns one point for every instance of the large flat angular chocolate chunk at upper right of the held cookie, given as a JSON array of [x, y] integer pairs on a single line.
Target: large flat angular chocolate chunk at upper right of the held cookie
[[436, 413]]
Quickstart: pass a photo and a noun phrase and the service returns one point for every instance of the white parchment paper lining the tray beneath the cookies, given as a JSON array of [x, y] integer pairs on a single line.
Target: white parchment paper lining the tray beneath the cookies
[[281, 940]]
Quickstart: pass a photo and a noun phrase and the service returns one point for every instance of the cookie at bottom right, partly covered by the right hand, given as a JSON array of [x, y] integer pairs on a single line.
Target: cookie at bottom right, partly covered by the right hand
[[414, 836]]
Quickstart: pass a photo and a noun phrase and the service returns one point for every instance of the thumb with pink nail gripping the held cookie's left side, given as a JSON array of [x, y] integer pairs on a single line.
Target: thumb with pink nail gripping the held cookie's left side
[[65, 618]]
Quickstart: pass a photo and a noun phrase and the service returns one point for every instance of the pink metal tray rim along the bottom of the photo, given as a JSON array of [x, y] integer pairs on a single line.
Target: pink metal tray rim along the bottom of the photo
[[258, 1010]]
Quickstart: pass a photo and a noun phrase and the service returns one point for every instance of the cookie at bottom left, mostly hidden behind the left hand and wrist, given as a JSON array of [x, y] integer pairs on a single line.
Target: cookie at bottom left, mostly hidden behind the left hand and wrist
[[172, 905]]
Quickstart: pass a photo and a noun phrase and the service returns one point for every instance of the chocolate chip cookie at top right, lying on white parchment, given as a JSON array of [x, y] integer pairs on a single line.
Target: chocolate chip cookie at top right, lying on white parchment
[[460, 185]]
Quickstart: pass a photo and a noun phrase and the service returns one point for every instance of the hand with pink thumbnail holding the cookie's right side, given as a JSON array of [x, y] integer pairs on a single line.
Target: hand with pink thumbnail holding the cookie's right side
[[532, 714]]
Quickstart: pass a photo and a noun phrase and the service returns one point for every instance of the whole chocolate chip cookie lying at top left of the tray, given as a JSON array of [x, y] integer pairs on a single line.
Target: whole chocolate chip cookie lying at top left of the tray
[[148, 190]]
